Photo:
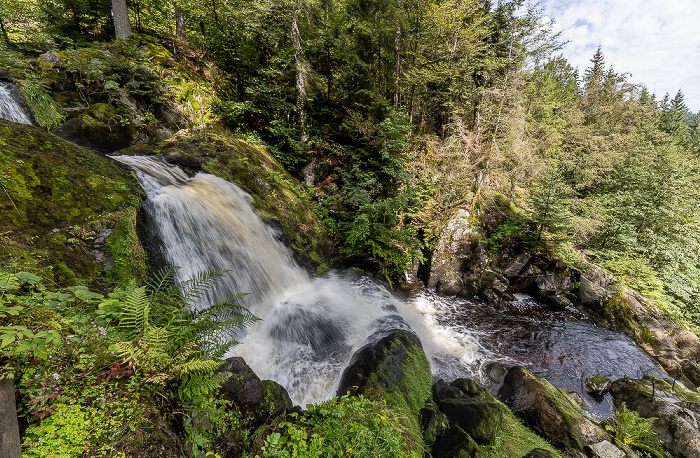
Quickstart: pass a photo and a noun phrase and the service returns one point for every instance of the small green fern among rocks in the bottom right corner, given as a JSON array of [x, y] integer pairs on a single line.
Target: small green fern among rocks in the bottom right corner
[[634, 431]]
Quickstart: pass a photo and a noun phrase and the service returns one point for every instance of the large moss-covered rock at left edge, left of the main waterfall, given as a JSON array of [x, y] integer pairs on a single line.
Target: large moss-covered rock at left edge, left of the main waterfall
[[65, 208]]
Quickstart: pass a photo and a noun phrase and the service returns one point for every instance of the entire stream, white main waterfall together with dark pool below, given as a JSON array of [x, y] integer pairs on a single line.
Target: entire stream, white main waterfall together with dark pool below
[[312, 326]]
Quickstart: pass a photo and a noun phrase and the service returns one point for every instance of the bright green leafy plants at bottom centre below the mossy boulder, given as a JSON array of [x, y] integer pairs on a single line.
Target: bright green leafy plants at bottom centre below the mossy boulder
[[346, 426]]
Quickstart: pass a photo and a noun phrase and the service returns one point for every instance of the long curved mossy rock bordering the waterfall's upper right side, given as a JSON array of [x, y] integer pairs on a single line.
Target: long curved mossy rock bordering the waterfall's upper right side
[[278, 197]]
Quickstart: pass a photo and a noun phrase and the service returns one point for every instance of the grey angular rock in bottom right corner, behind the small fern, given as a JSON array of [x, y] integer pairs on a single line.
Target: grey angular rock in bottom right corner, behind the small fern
[[676, 410]]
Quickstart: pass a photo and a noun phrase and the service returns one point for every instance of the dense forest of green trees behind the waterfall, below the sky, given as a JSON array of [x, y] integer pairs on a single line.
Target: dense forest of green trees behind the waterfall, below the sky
[[408, 110]]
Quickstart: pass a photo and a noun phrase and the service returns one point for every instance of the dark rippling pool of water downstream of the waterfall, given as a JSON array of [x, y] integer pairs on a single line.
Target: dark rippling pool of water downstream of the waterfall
[[559, 346]]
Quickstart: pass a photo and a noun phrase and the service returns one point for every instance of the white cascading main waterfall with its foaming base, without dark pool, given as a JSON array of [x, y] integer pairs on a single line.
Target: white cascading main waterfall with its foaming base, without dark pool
[[310, 327]]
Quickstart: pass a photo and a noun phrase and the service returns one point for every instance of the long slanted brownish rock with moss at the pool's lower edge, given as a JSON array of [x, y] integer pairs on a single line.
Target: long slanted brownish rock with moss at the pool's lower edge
[[548, 411]]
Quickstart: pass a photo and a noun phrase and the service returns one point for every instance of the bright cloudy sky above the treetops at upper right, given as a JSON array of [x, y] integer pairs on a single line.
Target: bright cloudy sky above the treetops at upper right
[[656, 41]]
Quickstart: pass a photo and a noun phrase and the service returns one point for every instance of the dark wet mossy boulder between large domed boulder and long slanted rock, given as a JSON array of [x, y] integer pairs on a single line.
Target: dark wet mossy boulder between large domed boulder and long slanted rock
[[471, 407]]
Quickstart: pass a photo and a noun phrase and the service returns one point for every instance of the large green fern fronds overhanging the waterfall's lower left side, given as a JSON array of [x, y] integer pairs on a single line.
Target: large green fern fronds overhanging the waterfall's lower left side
[[171, 339]]
